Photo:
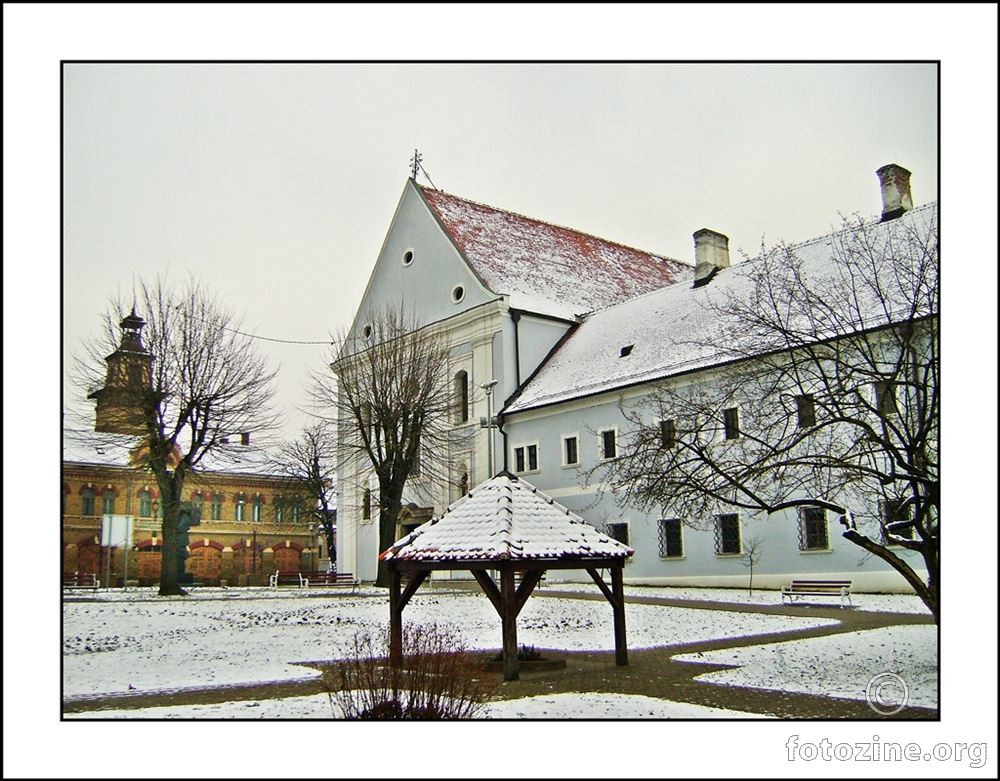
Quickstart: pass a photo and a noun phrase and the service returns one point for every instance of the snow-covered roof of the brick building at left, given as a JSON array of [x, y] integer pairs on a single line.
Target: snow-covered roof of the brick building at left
[[91, 448]]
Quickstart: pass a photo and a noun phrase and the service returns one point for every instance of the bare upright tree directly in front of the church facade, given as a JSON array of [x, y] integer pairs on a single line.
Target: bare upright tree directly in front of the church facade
[[395, 408]]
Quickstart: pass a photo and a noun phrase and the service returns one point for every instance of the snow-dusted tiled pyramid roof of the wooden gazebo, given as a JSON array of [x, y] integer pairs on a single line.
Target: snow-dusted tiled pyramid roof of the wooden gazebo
[[505, 518]]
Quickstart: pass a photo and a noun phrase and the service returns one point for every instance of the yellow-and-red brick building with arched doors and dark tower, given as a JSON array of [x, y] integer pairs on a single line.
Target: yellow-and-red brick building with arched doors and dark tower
[[253, 520]]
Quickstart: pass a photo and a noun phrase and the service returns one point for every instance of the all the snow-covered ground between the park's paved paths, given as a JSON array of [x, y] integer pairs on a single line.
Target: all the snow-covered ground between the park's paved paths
[[135, 641]]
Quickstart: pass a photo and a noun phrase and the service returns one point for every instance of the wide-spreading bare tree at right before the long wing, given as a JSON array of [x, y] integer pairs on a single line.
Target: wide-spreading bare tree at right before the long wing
[[825, 394]]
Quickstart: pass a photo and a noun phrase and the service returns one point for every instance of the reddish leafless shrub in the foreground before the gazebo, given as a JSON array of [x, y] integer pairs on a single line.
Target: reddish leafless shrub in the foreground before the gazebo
[[438, 678]]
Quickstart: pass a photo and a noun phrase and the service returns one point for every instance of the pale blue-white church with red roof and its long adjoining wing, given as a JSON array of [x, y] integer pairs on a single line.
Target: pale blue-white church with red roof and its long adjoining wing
[[553, 332]]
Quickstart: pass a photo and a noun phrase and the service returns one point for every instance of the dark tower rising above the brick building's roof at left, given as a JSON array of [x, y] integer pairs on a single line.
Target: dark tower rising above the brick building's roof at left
[[129, 379]]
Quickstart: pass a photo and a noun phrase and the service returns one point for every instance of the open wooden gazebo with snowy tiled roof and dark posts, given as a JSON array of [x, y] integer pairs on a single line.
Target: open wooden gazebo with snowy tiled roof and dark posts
[[508, 526]]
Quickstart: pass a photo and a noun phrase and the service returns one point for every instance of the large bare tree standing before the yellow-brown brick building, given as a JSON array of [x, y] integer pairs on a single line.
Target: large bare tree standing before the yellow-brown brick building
[[182, 376]]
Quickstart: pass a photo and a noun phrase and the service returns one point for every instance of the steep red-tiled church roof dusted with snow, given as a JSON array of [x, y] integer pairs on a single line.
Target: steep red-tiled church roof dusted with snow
[[546, 268]]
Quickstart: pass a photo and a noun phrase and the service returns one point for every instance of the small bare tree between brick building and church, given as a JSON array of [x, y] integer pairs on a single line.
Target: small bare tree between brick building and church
[[308, 466]]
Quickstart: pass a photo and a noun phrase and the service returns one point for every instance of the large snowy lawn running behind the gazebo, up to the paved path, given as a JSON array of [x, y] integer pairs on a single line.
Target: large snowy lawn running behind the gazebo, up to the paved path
[[234, 636]]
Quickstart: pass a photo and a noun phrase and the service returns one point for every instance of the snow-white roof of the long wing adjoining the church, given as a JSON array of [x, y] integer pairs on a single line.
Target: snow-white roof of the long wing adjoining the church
[[671, 330]]
